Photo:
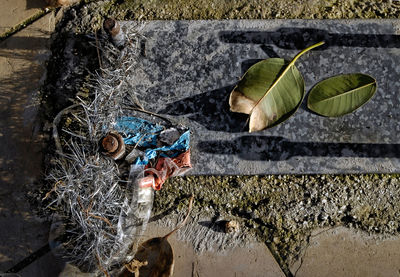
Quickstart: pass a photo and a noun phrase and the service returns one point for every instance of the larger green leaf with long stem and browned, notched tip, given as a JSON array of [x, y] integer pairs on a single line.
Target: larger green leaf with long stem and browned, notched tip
[[269, 92]]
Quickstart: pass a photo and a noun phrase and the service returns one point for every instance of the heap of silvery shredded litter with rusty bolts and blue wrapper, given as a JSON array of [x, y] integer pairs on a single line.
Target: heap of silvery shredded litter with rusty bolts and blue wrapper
[[111, 156]]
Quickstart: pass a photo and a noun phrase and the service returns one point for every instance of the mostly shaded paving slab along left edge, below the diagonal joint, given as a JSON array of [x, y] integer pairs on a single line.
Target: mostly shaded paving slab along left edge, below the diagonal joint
[[22, 58]]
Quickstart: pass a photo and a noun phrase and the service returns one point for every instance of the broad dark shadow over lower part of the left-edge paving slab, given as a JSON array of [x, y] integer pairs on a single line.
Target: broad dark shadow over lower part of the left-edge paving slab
[[21, 232]]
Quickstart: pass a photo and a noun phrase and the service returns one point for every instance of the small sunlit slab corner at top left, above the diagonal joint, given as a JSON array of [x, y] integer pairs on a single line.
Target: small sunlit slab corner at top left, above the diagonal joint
[[14, 12]]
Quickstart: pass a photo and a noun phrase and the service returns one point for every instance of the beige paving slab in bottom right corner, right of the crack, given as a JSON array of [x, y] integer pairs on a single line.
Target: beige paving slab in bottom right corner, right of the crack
[[346, 252]]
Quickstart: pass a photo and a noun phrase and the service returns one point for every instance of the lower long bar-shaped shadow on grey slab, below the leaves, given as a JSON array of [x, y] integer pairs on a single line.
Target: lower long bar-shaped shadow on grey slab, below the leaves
[[265, 148]]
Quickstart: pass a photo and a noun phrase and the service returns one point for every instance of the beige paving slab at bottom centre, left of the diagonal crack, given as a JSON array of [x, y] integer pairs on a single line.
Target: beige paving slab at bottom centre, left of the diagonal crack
[[251, 259]]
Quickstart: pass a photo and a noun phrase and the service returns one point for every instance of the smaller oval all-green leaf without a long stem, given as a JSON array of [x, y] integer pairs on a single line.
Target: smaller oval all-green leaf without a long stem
[[342, 94]]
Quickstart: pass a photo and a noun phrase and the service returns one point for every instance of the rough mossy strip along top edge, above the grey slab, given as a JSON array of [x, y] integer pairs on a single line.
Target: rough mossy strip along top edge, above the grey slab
[[306, 9]]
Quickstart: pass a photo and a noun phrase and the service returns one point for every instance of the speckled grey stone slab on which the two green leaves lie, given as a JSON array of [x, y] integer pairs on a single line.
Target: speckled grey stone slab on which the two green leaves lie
[[188, 69]]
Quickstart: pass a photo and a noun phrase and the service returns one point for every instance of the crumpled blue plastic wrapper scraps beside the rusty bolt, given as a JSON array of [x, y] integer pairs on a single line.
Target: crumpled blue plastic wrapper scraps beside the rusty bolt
[[142, 133]]
